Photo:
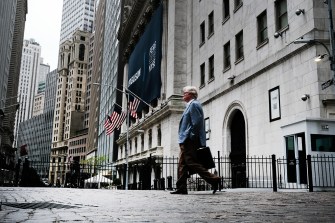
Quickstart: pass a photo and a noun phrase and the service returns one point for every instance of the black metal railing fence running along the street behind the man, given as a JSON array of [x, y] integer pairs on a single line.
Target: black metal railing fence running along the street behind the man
[[162, 173]]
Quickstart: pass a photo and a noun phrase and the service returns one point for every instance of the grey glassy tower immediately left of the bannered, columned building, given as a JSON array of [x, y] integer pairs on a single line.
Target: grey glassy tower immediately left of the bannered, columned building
[[110, 63]]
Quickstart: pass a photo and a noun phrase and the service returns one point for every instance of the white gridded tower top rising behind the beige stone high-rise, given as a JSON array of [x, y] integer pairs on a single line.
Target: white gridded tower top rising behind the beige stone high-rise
[[77, 14]]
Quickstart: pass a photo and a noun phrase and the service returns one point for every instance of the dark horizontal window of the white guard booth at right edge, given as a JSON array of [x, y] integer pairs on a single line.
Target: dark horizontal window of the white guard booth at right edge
[[323, 143]]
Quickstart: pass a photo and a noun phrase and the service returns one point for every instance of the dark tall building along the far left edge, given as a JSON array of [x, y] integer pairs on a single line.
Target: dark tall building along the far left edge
[[12, 21]]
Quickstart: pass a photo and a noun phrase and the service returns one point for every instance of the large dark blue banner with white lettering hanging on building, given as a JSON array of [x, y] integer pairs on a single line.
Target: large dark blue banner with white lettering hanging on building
[[144, 74]]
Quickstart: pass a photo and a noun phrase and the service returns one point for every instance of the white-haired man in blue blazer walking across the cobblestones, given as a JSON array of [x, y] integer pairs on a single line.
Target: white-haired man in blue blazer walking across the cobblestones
[[191, 137]]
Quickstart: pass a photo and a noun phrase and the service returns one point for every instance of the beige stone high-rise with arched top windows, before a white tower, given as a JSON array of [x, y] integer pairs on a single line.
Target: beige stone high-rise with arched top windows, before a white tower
[[70, 96]]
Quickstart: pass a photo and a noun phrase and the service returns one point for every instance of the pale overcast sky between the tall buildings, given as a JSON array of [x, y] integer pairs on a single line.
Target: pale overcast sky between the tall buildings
[[43, 23]]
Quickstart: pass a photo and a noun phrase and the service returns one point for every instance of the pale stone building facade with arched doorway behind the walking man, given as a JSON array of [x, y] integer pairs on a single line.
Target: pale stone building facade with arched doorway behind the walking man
[[261, 93]]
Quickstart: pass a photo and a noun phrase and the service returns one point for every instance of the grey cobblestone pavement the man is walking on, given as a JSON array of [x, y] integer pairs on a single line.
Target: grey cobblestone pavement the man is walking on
[[88, 205]]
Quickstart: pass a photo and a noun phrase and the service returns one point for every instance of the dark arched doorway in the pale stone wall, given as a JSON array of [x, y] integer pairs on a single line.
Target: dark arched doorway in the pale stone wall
[[238, 151]]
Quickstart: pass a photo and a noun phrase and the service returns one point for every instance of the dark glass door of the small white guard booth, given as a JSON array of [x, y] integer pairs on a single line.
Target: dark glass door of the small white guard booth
[[296, 158]]
